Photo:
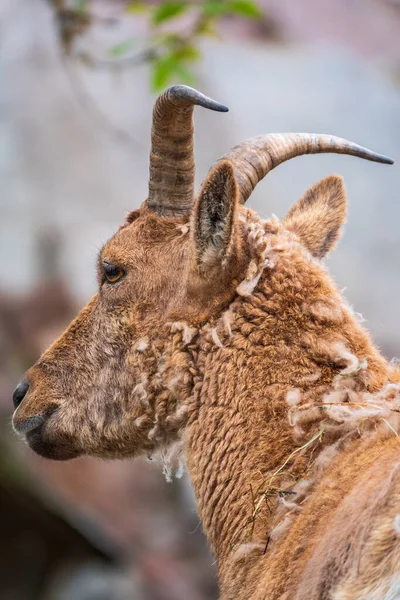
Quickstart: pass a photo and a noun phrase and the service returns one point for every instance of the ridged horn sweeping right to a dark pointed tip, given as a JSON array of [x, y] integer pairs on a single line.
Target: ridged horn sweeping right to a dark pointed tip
[[253, 159]]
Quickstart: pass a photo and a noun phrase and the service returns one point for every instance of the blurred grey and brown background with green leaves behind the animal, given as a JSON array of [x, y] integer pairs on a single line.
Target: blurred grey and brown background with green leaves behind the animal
[[77, 85]]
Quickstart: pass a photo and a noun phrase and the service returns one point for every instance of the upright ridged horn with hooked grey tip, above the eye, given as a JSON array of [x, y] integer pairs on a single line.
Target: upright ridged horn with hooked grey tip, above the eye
[[171, 182]]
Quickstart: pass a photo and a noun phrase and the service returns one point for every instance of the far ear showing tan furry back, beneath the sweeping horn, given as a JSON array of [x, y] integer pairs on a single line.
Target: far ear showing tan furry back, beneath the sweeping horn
[[318, 216]]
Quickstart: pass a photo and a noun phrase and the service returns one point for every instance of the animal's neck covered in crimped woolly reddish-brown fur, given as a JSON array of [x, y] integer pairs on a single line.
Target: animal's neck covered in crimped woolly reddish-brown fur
[[287, 340]]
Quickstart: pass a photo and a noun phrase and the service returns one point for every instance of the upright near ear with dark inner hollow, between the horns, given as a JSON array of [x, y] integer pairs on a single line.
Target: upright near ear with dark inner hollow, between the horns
[[213, 219]]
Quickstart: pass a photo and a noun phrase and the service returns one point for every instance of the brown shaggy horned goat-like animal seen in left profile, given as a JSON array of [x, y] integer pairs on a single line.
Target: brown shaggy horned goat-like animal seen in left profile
[[224, 334]]
